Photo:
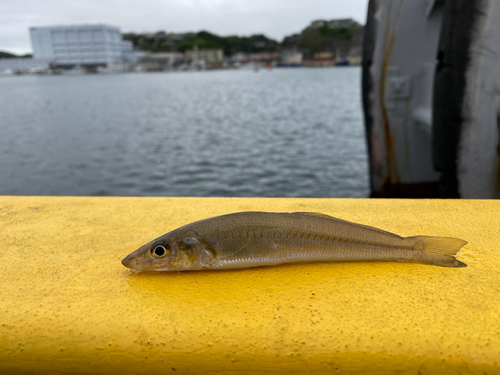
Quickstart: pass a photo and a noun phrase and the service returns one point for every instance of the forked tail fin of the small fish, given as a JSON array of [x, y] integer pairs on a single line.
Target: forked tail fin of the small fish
[[440, 251]]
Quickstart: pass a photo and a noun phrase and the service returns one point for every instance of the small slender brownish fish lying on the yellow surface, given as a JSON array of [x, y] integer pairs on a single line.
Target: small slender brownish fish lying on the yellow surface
[[256, 239]]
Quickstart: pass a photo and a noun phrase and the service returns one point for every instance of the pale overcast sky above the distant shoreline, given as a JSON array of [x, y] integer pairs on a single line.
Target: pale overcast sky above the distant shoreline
[[274, 18]]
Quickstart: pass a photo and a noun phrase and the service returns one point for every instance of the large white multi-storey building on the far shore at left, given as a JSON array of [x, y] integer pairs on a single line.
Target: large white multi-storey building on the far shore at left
[[86, 45]]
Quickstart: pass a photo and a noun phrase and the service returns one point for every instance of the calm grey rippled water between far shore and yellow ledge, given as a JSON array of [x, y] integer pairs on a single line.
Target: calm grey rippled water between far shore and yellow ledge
[[288, 132]]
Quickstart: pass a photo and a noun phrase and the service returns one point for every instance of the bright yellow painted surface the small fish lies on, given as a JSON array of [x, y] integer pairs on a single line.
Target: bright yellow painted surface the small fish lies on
[[67, 305]]
